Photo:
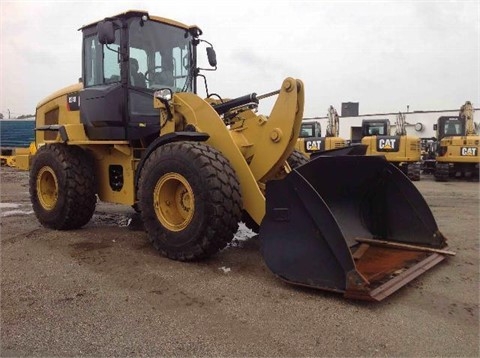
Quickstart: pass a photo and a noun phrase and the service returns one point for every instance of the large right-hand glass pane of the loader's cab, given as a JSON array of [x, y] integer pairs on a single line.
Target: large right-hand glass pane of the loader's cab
[[160, 56]]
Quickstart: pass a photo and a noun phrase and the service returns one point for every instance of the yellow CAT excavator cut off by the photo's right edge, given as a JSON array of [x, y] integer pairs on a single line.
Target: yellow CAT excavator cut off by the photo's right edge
[[458, 146]]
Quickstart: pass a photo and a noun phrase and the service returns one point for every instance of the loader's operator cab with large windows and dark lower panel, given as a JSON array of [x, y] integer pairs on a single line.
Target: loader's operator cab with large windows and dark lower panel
[[126, 60]]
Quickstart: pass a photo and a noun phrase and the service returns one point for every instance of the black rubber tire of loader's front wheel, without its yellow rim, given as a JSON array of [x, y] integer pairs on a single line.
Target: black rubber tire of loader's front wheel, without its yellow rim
[[223, 202]]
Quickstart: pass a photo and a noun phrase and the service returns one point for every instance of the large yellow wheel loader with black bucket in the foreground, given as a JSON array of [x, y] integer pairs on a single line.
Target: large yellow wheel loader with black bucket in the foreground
[[135, 132]]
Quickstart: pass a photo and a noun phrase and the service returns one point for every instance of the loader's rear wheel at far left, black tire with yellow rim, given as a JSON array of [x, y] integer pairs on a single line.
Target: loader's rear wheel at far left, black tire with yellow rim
[[62, 187]]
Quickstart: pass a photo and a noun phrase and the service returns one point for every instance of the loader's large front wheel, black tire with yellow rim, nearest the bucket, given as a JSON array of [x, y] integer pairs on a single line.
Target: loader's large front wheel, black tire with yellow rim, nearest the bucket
[[189, 200]]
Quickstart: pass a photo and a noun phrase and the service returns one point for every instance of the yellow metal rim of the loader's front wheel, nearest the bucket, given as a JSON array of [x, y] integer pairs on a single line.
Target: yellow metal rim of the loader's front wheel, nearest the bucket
[[174, 201]]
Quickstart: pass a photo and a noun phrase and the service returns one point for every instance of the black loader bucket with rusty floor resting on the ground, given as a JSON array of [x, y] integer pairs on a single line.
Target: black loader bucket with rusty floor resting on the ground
[[351, 224]]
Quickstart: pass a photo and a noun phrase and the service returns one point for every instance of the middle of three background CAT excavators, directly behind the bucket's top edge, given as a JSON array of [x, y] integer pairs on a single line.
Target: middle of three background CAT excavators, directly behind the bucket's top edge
[[402, 150]]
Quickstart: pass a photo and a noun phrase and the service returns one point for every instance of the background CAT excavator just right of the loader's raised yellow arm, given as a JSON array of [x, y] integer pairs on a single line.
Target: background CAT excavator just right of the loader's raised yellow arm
[[311, 140]]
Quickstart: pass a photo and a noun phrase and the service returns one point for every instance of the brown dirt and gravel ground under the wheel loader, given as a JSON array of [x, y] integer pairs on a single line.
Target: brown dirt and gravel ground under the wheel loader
[[104, 291]]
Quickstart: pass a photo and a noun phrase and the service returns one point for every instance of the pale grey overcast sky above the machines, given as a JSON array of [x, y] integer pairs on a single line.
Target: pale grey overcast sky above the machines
[[383, 54]]
